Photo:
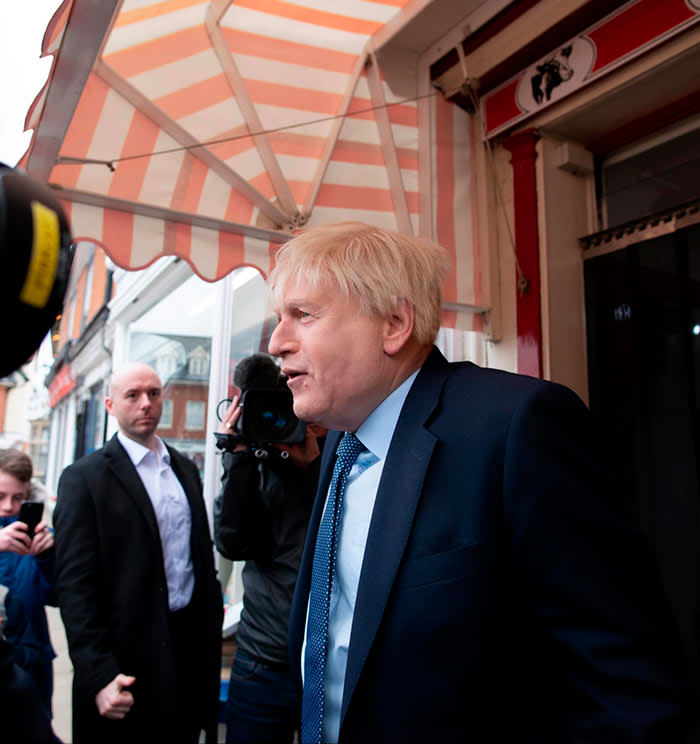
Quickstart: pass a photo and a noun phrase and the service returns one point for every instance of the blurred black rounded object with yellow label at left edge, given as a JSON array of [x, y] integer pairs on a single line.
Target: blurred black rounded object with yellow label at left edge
[[35, 260]]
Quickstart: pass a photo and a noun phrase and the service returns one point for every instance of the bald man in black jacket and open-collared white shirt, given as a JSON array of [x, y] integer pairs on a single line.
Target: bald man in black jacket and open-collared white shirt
[[137, 587]]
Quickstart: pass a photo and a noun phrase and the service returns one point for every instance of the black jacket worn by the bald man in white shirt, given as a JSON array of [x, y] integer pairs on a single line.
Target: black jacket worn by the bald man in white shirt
[[113, 595]]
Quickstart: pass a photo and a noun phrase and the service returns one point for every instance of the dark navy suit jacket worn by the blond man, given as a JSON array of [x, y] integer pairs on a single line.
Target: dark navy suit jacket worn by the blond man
[[503, 595]]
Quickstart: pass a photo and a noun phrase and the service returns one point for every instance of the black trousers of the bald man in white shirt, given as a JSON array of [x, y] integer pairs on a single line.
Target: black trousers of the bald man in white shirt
[[189, 673]]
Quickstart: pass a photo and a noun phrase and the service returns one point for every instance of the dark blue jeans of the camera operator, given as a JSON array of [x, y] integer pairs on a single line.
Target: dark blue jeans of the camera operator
[[263, 706]]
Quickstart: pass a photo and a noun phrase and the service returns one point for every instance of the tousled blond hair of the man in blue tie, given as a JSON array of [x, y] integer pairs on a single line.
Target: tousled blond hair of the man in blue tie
[[378, 267]]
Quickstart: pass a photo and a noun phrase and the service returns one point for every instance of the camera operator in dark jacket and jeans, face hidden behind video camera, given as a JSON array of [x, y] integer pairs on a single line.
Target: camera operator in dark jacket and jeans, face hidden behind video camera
[[260, 516]]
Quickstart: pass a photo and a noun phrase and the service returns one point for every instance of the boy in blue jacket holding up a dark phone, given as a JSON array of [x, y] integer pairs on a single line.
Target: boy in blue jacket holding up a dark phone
[[27, 560]]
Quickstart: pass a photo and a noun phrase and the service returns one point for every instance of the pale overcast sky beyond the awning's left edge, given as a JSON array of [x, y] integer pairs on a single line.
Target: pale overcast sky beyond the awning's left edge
[[22, 70]]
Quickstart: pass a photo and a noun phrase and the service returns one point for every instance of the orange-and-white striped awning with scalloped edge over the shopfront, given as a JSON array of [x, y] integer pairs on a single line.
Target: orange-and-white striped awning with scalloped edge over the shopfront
[[214, 129]]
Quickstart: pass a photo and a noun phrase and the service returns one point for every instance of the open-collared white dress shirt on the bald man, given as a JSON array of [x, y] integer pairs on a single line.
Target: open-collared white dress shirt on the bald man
[[172, 514]]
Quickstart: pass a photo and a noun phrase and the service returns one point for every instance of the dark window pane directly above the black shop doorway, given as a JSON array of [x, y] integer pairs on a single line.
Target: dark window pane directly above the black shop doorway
[[651, 176]]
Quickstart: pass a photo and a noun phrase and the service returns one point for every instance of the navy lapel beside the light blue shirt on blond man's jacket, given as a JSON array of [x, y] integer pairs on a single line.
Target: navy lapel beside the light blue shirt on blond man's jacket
[[398, 495]]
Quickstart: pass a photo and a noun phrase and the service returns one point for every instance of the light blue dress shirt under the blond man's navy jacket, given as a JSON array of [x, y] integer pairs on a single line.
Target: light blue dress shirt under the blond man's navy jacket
[[375, 433]]
